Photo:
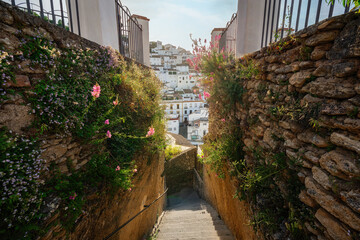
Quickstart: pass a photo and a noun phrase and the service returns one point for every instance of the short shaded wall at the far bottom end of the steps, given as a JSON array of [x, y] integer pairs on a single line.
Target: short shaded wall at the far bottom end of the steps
[[179, 170]]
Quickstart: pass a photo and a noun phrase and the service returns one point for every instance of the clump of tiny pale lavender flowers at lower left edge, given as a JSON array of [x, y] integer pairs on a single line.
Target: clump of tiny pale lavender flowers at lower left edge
[[20, 168]]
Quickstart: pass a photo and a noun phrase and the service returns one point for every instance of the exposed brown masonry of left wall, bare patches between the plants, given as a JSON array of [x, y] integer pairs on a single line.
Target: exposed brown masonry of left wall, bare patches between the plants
[[104, 211]]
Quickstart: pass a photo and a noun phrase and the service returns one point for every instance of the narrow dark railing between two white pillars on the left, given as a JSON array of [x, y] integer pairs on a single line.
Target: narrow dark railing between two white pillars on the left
[[130, 33]]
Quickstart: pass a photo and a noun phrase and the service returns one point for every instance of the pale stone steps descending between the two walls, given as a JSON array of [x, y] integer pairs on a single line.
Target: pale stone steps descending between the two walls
[[190, 218]]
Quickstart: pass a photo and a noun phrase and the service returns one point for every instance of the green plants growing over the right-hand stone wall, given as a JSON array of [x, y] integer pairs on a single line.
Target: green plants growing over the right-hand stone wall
[[264, 178]]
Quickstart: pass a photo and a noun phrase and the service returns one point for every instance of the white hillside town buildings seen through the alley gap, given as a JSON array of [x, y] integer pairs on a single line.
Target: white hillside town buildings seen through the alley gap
[[186, 113]]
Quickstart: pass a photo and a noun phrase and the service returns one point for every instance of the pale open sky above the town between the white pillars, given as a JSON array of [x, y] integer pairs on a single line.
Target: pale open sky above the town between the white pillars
[[171, 21]]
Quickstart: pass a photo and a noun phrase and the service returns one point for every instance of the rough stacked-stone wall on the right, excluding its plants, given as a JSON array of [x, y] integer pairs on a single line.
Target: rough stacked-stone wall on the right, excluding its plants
[[305, 102]]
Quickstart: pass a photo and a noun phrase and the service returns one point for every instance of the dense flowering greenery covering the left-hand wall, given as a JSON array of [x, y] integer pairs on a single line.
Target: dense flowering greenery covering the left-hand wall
[[63, 104]]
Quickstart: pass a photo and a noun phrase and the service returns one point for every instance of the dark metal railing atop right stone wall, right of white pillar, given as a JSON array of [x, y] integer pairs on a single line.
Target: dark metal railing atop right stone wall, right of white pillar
[[284, 17]]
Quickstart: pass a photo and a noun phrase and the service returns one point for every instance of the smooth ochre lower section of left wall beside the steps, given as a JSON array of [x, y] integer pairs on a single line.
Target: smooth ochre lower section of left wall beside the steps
[[104, 213]]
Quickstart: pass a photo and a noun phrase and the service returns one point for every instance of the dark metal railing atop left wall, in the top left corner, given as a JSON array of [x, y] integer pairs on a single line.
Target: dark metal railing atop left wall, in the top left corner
[[57, 12]]
